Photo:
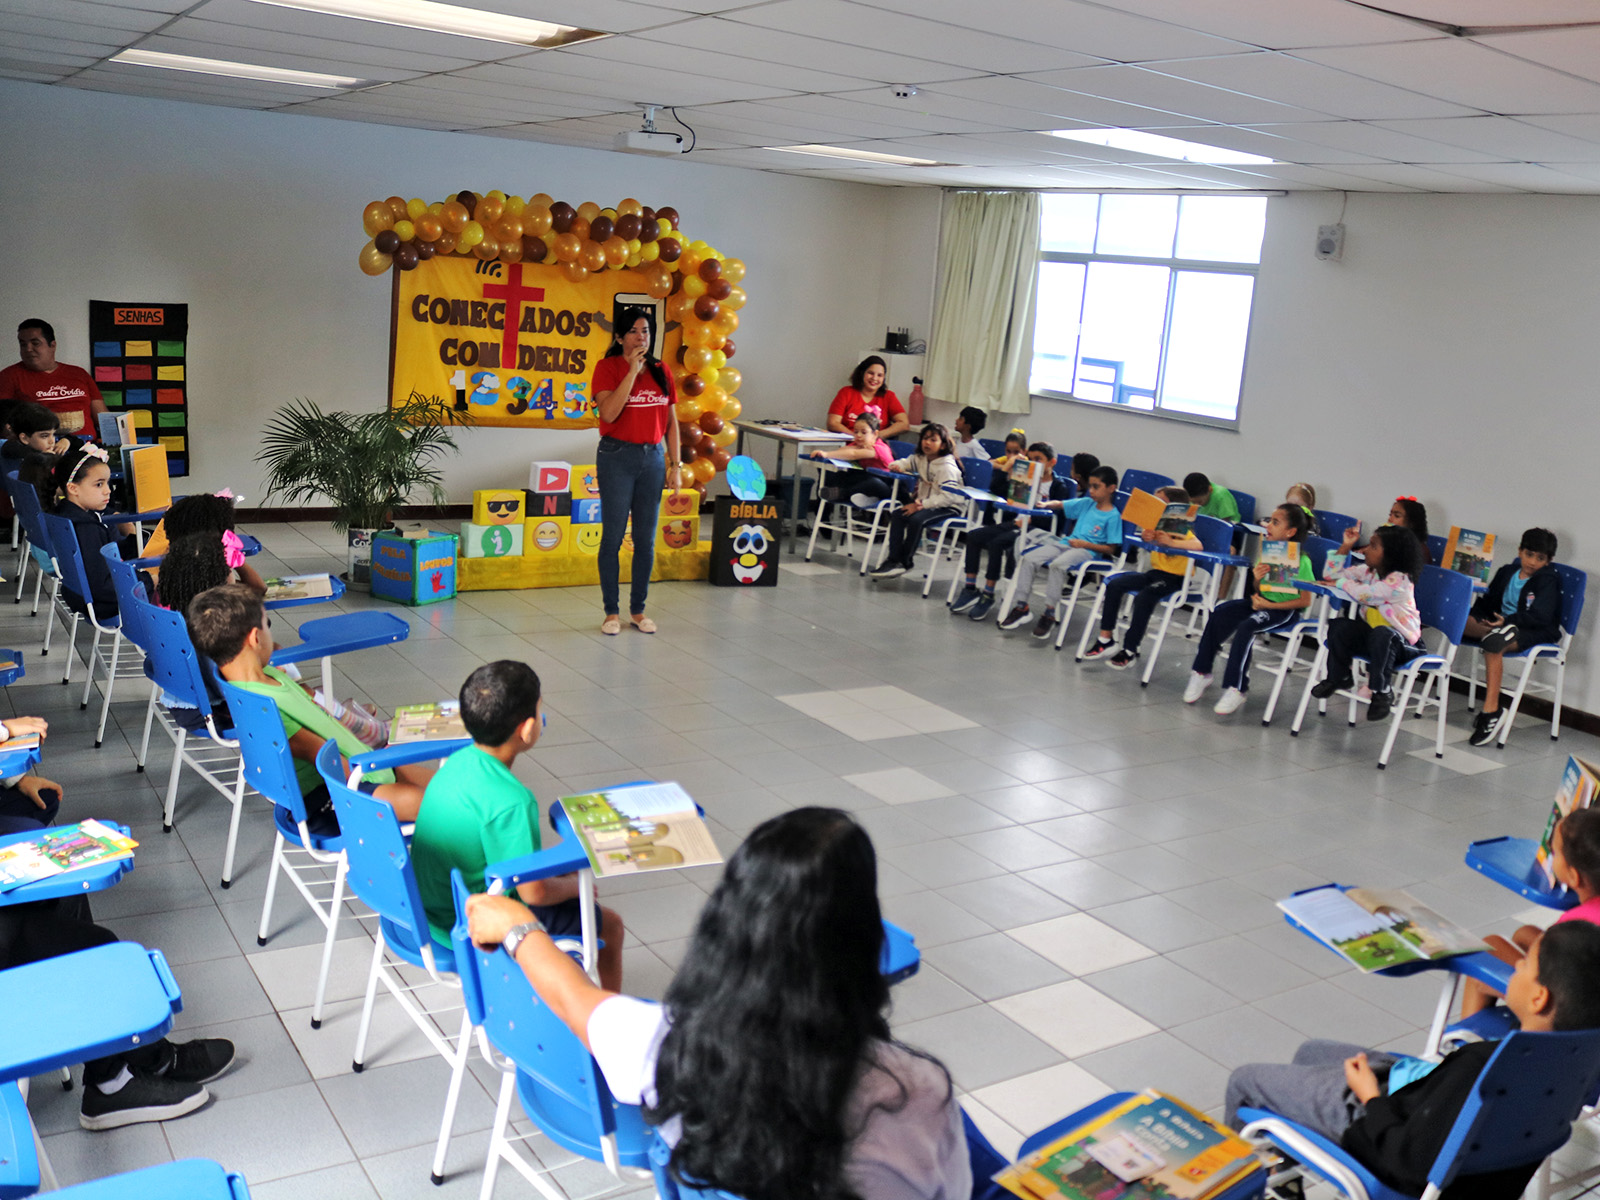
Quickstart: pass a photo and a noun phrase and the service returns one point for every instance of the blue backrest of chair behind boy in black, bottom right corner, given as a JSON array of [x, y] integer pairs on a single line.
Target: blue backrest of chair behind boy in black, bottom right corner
[[1524, 1105]]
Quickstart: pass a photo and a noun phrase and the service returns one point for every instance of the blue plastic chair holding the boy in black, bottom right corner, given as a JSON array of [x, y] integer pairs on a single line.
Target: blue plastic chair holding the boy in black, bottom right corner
[[1521, 1113]]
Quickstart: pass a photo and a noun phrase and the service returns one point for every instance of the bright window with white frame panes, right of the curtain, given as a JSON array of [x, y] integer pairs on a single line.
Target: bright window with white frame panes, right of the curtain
[[1145, 302]]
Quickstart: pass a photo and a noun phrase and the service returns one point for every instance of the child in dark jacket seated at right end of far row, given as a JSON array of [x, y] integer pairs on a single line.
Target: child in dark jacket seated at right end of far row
[[1522, 609]]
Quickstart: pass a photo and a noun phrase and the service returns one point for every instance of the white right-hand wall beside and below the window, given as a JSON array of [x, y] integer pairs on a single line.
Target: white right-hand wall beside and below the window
[[1450, 356]]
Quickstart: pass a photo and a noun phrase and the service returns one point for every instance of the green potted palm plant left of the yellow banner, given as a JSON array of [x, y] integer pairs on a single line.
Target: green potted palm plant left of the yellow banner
[[367, 463]]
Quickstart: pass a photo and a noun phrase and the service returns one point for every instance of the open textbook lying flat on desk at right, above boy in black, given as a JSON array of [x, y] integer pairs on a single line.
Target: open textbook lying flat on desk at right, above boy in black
[[1377, 927]]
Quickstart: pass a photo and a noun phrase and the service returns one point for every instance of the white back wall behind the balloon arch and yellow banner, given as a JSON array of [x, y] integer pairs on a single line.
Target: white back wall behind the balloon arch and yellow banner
[[254, 220]]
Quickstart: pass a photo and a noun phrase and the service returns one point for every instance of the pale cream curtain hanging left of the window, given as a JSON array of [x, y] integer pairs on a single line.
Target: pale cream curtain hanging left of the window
[[983, 327]]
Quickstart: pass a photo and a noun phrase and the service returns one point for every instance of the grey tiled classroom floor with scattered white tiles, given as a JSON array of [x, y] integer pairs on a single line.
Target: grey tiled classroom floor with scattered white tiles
[[1090, 868]]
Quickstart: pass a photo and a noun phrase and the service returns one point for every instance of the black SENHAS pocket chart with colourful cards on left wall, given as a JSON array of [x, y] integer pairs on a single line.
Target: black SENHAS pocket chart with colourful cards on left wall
[[138, 354]]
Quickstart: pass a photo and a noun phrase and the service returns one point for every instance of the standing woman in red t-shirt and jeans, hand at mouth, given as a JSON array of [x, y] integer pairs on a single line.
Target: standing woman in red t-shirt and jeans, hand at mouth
[[636, 394]]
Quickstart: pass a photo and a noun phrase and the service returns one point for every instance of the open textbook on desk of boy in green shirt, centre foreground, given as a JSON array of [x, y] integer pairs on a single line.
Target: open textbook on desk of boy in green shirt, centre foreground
[[638, 828]]
